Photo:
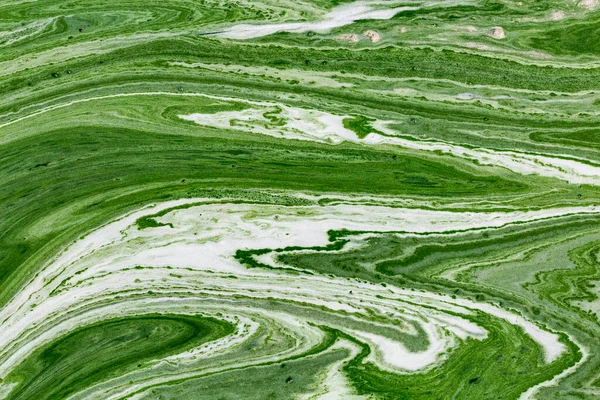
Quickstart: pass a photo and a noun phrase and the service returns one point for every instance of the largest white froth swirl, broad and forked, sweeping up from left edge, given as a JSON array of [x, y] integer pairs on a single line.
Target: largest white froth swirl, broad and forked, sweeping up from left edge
[[196, 257]]
